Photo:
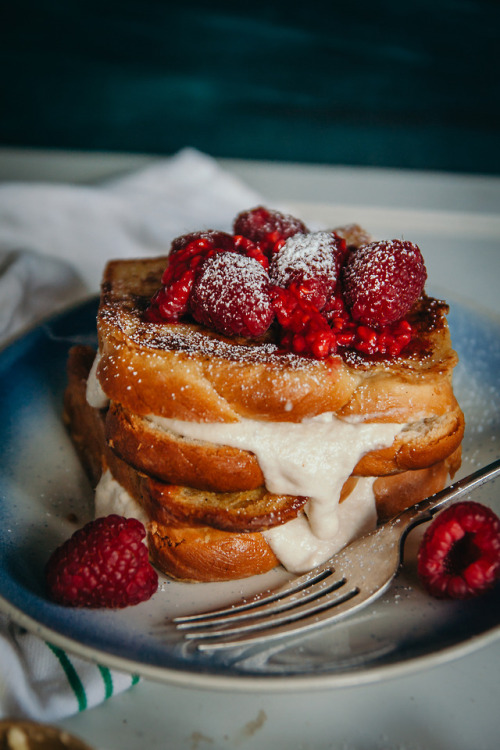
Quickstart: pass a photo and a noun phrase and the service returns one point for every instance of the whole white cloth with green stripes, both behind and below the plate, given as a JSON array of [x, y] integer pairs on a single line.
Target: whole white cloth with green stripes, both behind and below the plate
[[54, 242]]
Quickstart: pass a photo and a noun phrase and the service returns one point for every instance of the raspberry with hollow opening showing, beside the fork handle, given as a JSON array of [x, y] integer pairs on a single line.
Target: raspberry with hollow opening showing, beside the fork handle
[[459, 556]]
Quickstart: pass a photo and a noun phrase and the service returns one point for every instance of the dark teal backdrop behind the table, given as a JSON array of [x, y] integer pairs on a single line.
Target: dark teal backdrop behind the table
[[405, 84]]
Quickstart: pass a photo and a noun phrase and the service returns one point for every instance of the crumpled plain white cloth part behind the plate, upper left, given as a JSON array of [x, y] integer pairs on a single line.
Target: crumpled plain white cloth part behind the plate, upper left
[[56, 238]]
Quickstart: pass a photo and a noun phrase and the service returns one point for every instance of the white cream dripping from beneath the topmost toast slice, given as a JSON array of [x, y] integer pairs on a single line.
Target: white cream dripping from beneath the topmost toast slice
[[312, 458]]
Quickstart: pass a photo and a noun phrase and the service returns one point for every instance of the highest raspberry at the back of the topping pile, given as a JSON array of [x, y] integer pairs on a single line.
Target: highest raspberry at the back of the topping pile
[[267, 227]]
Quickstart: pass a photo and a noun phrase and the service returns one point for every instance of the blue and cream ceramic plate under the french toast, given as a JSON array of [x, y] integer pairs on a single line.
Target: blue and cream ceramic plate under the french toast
[[44, 495]]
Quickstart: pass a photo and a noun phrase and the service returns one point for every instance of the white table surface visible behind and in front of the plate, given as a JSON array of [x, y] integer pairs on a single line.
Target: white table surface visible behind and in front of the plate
[[450, 705]]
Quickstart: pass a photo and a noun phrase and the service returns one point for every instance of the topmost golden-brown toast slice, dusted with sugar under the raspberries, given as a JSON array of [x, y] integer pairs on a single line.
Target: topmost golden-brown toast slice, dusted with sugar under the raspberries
[[186, 372]]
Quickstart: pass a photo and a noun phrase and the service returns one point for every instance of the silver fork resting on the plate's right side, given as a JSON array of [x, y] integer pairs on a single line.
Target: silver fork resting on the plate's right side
[[348, 581]]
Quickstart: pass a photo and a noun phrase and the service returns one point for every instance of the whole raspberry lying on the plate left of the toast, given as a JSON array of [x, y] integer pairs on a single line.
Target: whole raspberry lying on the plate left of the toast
[[104, 564]]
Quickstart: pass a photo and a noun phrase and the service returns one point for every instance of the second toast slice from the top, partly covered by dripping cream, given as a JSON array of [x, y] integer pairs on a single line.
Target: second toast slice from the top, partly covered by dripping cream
[[152, 447]]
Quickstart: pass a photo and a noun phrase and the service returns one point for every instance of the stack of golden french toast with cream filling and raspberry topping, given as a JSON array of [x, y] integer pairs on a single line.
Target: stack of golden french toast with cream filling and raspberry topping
[[241, 450]]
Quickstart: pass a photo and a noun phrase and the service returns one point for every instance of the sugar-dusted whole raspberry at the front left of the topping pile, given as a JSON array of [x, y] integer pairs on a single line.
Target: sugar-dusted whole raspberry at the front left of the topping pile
[[232, 296]]
